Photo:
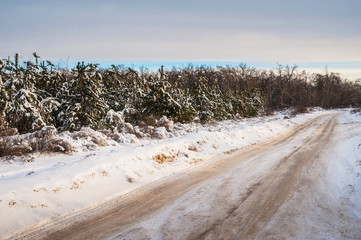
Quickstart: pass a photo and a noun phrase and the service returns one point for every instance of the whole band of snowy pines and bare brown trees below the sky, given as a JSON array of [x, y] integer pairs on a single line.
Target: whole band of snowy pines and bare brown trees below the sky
[[37, 94]]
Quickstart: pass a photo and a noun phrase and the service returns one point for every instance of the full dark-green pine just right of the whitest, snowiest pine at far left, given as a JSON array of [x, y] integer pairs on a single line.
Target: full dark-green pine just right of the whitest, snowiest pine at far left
[[82, 103]]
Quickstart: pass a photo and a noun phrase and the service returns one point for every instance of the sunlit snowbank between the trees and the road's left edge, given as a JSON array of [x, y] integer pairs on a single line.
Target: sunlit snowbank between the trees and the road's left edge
[[54, 184]]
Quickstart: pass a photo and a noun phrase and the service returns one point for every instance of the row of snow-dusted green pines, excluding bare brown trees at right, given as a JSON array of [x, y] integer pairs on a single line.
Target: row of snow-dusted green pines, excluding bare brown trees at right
[[36, 94]]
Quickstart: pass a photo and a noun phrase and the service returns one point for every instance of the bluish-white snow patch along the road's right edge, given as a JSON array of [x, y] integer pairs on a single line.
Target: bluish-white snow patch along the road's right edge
[[344, 169]]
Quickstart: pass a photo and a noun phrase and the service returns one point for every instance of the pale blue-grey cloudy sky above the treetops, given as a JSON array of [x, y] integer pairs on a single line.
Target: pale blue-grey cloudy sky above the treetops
[[312, 34]]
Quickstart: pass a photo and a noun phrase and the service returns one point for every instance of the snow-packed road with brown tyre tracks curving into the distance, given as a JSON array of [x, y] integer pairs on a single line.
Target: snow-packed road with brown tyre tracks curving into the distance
[[278, 189]]
